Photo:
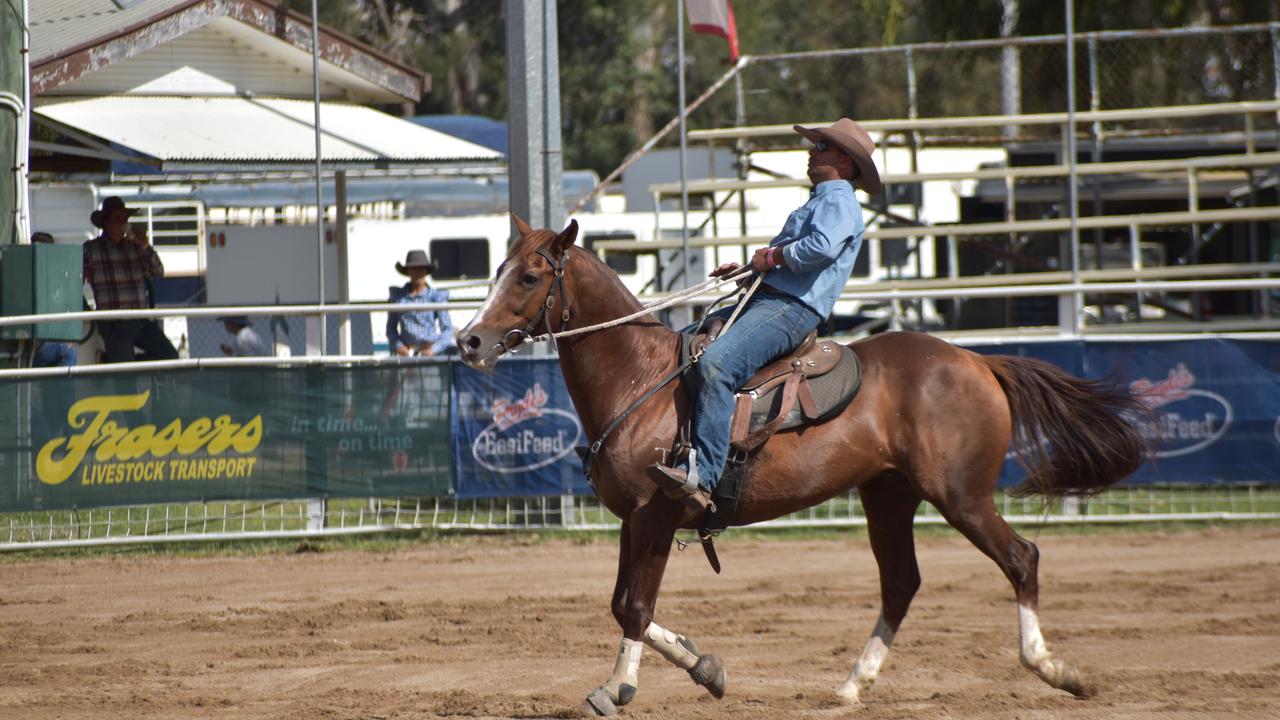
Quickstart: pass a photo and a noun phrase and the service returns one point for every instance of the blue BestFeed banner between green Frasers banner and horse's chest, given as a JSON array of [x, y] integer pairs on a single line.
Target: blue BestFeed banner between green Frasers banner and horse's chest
[[515, 430]]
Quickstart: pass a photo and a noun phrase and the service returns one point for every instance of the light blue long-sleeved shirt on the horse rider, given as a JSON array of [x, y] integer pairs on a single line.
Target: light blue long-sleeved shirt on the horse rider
[[820, 243]]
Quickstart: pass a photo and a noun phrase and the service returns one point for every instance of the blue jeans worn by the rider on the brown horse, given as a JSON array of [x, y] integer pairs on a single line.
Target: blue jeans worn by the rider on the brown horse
[[769, 327]]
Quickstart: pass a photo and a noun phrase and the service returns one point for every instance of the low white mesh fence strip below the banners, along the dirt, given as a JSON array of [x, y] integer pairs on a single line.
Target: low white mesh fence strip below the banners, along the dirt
[[292, 520]]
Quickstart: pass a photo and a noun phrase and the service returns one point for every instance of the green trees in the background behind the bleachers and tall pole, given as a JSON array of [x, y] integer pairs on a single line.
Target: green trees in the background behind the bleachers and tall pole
[[619, 70]]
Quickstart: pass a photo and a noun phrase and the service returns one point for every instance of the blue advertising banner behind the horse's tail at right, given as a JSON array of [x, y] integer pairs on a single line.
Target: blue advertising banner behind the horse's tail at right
[[1215, 403]]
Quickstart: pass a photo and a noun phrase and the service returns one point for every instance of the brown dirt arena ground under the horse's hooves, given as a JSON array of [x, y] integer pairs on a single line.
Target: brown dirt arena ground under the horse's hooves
[[1169, 626]]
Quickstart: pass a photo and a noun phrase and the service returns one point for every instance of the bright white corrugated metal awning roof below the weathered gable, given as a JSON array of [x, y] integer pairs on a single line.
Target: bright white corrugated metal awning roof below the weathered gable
[[185, 131]]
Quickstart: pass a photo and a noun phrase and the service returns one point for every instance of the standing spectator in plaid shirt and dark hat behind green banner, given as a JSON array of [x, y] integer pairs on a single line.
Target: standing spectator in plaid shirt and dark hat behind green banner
[[117, 266]]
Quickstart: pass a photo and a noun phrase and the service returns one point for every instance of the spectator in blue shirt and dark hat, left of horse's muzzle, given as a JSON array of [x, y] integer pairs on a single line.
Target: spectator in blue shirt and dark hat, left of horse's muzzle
[[423, 332]]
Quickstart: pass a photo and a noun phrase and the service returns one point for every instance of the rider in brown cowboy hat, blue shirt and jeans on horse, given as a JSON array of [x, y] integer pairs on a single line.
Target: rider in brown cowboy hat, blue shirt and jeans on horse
[[806, 268]]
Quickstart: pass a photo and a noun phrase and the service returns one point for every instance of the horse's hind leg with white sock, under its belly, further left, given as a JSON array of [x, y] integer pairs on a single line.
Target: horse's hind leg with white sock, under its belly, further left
[[890, 505]]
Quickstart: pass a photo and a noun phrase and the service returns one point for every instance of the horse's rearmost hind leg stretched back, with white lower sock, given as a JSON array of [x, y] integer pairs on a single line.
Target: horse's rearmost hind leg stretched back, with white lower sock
[[1020, 559]]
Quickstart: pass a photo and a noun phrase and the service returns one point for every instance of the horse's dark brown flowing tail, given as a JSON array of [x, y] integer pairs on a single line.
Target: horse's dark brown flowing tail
[[1072, 436]]
